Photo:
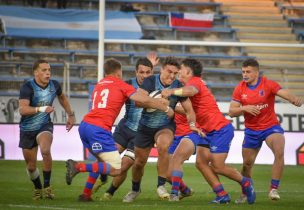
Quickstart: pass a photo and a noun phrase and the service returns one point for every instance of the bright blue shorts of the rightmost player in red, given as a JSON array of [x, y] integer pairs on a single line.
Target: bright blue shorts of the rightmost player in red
[[254, 139]]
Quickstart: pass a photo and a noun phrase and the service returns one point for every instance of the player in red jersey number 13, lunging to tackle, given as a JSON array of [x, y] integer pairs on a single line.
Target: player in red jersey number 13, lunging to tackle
[[108, 97]]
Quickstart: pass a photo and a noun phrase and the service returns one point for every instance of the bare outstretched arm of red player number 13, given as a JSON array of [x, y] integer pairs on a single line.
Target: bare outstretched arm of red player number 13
[[141, 98]]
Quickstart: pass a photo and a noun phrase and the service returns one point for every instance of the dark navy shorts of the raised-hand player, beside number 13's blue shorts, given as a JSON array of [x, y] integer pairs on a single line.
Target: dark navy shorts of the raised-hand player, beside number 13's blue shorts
[[124, 136]]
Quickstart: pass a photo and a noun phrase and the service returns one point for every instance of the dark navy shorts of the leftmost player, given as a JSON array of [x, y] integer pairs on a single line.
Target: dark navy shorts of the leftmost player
[[28, 139]]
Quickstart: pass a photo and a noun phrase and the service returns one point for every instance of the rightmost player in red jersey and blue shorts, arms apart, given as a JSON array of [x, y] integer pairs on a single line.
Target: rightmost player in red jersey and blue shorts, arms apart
[[254, 98]]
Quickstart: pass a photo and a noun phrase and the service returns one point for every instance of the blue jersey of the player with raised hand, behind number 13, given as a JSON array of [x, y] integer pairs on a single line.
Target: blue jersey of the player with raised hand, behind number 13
[[133, 113]]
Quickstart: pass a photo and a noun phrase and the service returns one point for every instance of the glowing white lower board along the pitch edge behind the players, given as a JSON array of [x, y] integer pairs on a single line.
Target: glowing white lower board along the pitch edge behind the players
[[68, 145]]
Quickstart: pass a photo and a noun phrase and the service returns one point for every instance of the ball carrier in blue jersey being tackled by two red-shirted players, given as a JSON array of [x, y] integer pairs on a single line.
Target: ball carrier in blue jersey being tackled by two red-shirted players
[[156, 127]]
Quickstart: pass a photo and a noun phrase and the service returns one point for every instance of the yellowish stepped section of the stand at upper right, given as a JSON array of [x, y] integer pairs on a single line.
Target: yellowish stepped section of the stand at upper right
[[262, 21]]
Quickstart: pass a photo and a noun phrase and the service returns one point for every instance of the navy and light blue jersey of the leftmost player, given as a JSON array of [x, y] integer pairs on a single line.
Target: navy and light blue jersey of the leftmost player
[[38, 96]]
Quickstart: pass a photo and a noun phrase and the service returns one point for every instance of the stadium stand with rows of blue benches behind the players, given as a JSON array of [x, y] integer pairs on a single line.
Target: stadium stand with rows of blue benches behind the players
[[234, 20]]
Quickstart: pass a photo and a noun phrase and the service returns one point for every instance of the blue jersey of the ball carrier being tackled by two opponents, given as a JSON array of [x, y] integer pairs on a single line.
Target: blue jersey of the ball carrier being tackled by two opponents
[[158, 118]]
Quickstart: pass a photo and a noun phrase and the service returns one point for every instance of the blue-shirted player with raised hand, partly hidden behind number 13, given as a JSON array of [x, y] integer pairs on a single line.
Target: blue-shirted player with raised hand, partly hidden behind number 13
[[125, 131]]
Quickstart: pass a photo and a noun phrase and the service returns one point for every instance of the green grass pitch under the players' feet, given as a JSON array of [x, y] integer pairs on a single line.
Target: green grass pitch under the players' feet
[[16, 190]]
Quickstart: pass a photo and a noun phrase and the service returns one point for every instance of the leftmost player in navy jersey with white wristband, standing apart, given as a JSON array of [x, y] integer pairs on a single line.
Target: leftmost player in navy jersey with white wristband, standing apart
[[35, 105]]
